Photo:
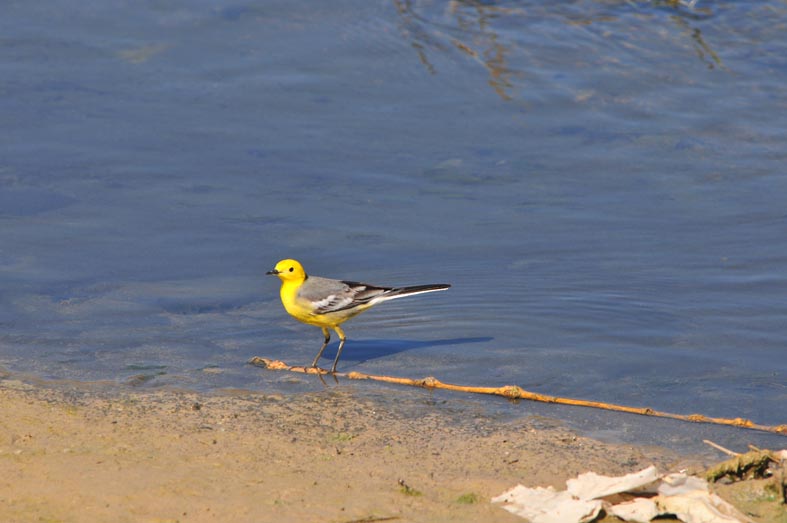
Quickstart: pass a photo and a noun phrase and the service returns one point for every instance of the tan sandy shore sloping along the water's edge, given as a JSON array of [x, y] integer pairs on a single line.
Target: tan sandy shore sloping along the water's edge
[[75, 453]]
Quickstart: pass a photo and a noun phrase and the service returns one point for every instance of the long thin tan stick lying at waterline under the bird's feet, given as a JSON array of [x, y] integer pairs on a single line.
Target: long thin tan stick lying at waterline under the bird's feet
[[516, 392]]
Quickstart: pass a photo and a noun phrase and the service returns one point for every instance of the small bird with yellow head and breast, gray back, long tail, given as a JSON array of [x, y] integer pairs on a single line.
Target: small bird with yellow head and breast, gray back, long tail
[[328, 303]]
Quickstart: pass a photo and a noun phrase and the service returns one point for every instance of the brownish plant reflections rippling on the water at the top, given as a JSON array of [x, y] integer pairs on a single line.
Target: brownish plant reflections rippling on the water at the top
[[494, 34]]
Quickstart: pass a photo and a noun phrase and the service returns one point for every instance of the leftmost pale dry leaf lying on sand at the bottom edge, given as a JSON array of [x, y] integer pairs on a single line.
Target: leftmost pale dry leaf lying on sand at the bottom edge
[[545, 505]]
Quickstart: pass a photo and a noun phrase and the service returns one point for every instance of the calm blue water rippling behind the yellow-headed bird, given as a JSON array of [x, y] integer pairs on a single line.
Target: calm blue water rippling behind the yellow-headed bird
[[603, 183]]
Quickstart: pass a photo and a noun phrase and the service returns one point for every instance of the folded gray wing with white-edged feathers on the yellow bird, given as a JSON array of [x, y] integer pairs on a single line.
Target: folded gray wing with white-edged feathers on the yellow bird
[[327, 295]]
